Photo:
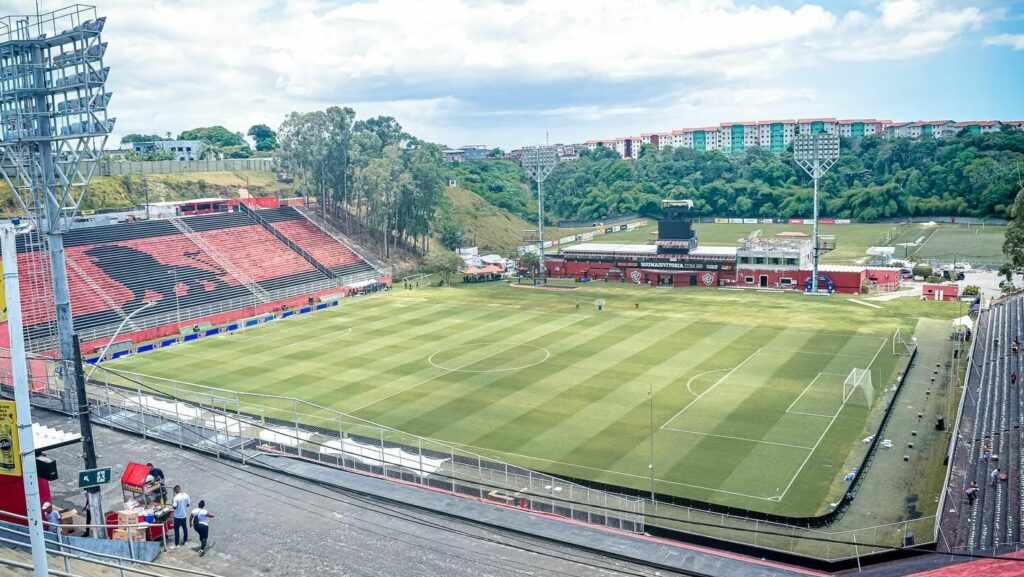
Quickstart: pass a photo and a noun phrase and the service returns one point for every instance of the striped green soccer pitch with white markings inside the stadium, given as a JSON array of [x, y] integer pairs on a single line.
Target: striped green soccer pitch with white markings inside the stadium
[[750, 407]]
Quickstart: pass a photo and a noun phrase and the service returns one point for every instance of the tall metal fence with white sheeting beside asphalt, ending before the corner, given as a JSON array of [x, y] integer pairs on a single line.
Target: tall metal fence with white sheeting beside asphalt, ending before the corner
[[247, 427]]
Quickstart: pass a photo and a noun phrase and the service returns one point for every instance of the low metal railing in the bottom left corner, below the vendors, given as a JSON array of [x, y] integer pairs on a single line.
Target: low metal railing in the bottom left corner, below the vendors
[[57, 547]]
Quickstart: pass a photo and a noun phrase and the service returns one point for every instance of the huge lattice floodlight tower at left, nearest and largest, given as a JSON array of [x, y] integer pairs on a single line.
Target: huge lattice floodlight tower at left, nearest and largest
[[54, 126]]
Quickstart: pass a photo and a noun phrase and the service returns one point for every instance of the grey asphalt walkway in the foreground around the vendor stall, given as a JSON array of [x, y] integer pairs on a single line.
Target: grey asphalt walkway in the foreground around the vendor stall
[[272, 524]]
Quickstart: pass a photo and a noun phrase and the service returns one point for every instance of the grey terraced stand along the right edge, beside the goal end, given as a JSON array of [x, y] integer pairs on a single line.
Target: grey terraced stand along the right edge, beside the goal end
[[991, 433]]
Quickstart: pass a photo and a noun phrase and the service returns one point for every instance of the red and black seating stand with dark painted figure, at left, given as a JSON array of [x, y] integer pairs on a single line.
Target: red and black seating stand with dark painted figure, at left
[[216, 263]]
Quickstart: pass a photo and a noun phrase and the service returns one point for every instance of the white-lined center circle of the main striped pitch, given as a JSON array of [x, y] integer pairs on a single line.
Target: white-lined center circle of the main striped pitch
[[489, 357]]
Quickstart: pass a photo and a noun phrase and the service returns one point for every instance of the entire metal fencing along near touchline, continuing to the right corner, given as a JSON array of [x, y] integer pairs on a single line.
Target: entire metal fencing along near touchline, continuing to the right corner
[[247, 426]]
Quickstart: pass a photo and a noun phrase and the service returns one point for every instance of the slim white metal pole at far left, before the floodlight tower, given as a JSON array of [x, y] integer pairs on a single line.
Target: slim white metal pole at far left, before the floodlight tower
[[20, 368]]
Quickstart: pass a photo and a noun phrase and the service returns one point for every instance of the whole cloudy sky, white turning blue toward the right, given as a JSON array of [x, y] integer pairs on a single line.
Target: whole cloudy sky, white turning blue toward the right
[[461, 72]]
